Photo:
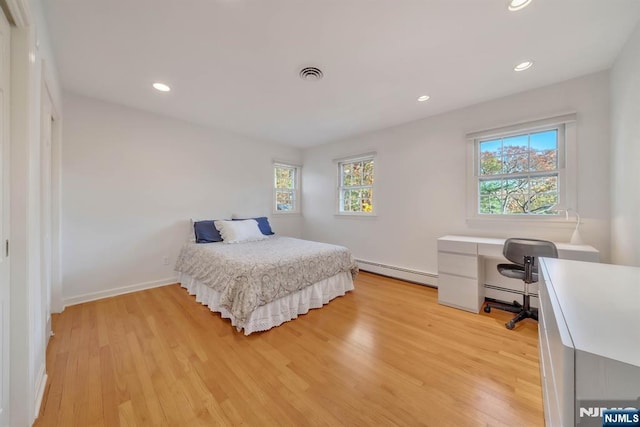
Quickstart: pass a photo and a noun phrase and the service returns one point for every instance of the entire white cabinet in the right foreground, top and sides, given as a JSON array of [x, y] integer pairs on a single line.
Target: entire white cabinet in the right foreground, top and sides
[[589, 339]]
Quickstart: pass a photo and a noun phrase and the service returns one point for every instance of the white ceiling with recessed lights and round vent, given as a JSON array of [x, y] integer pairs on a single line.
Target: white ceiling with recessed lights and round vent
[[233, 64]]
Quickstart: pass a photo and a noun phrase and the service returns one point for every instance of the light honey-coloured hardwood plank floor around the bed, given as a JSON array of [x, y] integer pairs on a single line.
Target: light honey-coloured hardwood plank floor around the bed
[[384, 354]]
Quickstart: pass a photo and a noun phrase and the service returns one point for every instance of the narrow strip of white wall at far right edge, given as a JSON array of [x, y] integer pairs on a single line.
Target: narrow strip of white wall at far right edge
[[625, 154]]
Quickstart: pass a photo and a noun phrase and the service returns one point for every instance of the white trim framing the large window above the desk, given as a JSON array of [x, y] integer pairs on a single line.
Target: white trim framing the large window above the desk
[[567, 167]]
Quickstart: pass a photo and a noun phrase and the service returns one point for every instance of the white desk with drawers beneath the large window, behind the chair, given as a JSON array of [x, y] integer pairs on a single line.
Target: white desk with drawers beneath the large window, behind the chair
[[464, 281]]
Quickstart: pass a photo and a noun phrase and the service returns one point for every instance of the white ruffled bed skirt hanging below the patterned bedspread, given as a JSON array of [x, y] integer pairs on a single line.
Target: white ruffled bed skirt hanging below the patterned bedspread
[[277, 312]]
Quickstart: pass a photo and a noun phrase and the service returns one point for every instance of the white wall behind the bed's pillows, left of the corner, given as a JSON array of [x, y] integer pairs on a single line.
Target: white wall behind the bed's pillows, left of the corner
[[131, 181]]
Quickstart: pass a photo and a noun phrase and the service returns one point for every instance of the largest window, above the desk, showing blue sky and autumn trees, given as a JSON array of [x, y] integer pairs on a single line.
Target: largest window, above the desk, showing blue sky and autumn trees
[[520, 171]]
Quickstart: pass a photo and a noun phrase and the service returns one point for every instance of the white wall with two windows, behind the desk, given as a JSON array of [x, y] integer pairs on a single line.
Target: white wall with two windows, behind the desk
[[420, 191]]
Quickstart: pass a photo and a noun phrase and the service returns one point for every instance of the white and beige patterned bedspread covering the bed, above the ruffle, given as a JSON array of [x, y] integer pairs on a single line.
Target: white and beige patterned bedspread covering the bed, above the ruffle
[[252, 274]]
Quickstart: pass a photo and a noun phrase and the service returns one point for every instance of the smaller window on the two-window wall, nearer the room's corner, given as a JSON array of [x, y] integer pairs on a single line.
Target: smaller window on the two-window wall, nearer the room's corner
[[355, 186]]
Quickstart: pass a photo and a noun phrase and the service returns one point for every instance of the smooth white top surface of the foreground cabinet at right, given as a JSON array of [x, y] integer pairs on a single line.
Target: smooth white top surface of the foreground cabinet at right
[[600, 304]]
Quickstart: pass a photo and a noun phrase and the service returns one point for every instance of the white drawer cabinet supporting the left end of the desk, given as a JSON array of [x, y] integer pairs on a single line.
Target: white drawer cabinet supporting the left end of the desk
[[458, 275]]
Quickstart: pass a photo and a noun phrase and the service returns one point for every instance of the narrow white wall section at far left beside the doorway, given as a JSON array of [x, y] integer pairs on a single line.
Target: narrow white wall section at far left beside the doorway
[[29, 307]]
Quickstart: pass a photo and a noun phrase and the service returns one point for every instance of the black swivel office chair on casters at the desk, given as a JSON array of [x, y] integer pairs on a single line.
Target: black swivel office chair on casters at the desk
[[522, 253]]
